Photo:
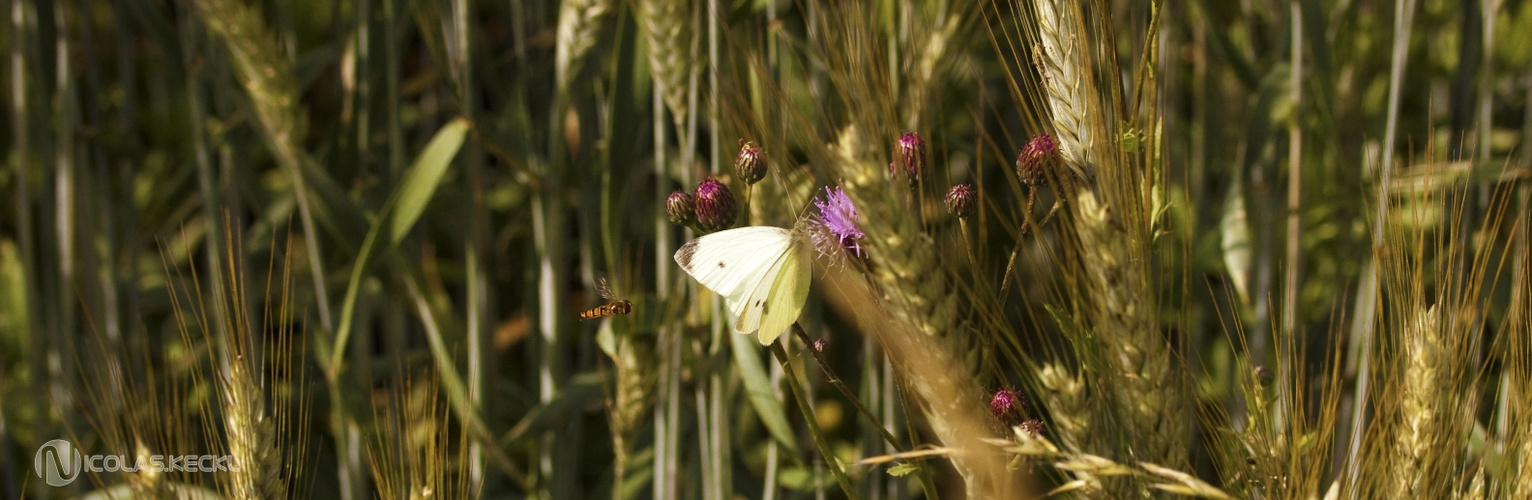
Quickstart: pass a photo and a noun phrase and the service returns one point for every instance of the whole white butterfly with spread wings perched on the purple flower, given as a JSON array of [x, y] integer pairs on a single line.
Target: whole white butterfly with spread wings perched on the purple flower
[[762, 272]]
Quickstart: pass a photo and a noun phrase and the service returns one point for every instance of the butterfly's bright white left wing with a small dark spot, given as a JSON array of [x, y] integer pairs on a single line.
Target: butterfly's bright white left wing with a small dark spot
[[736, 262]]
